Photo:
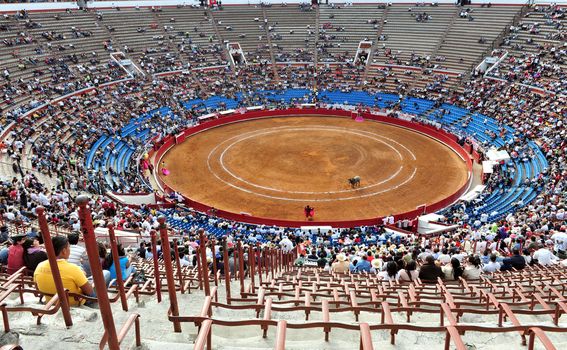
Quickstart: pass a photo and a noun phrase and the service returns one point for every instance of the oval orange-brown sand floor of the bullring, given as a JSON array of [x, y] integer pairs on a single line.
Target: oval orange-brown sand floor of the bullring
[[274, 167]]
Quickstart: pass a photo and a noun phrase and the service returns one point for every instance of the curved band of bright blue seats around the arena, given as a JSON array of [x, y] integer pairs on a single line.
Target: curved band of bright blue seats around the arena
[[456, 119]]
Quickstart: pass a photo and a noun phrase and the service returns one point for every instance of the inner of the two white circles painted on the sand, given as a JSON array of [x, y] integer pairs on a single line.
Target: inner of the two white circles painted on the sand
[[278, 129]]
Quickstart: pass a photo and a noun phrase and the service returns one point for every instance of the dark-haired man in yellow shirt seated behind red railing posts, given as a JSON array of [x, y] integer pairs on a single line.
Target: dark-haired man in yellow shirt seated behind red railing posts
[[73, 277]]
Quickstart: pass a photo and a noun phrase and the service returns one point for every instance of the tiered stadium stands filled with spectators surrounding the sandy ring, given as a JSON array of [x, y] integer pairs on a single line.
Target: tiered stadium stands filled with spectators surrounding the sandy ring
[[92, 97]]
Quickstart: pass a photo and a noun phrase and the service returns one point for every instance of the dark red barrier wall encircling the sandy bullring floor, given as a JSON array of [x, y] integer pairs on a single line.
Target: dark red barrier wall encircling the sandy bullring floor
[[449, 139]]
